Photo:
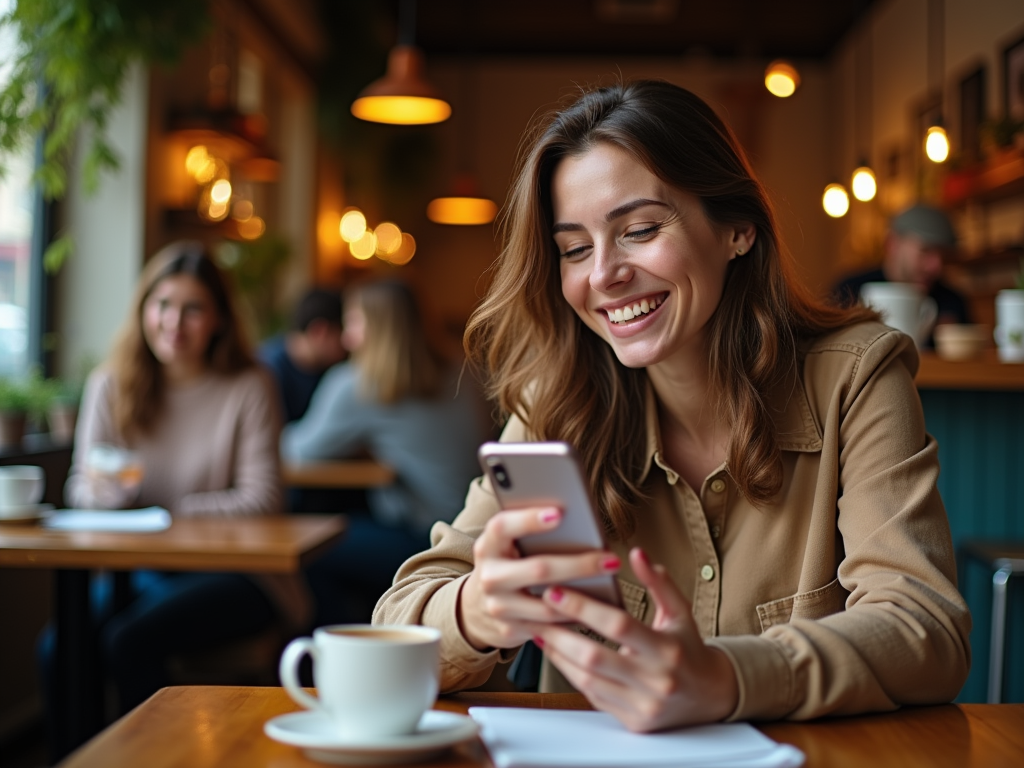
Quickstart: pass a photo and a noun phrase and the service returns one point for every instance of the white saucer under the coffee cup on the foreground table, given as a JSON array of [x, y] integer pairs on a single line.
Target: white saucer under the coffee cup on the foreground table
[[315, 734]]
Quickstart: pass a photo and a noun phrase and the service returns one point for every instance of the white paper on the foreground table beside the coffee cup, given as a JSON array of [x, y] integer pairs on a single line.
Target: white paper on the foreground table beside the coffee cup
[[558, 739]]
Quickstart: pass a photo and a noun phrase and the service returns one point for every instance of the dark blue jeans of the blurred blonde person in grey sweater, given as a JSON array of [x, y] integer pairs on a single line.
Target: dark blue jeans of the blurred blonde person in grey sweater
[[348, 581]]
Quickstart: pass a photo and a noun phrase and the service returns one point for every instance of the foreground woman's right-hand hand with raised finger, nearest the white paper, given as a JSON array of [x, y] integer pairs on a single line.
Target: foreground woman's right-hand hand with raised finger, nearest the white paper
[[662, 676]]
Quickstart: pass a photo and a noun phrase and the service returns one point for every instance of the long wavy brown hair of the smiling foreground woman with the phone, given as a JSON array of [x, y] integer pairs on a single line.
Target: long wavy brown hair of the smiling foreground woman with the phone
[[563, 379]]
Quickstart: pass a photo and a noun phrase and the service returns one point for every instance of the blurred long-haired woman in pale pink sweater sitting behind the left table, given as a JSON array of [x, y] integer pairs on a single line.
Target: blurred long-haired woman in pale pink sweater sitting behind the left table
[[183, 397]]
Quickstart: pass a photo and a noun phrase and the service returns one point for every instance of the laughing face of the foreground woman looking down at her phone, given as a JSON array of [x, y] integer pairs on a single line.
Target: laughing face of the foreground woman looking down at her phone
[[641, 263]]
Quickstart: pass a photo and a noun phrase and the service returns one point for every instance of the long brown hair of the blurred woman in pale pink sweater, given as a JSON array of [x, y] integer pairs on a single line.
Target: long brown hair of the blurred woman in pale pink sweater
[[138, 374]]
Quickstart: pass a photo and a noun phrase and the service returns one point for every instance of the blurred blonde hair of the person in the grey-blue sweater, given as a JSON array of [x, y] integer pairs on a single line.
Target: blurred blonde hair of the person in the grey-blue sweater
[[396, 360]]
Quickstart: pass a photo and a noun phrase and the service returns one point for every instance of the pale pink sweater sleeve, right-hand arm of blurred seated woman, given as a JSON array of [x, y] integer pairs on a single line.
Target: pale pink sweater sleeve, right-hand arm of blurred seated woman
[[257, 486]]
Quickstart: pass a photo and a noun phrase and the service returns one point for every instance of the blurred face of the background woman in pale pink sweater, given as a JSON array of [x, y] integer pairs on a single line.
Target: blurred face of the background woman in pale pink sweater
[[180, 319]]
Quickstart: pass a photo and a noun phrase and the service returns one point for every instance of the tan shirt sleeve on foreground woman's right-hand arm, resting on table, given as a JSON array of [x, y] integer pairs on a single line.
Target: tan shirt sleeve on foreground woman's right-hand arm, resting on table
[[904, 636]]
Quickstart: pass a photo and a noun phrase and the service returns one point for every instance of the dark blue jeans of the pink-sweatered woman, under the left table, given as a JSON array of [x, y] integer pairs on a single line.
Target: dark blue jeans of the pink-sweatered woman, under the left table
[[172, 614]]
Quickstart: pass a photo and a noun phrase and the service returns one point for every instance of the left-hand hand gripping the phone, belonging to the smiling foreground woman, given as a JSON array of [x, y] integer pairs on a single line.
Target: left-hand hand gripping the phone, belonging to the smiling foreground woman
[[495, 609]]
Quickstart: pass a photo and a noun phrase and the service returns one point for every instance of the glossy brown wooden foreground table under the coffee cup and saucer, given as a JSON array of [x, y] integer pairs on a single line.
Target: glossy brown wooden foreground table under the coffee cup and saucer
[[223, 728]]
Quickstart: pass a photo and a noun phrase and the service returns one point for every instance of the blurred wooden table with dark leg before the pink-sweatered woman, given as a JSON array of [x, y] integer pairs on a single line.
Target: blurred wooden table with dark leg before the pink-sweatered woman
[[251, 545]]
